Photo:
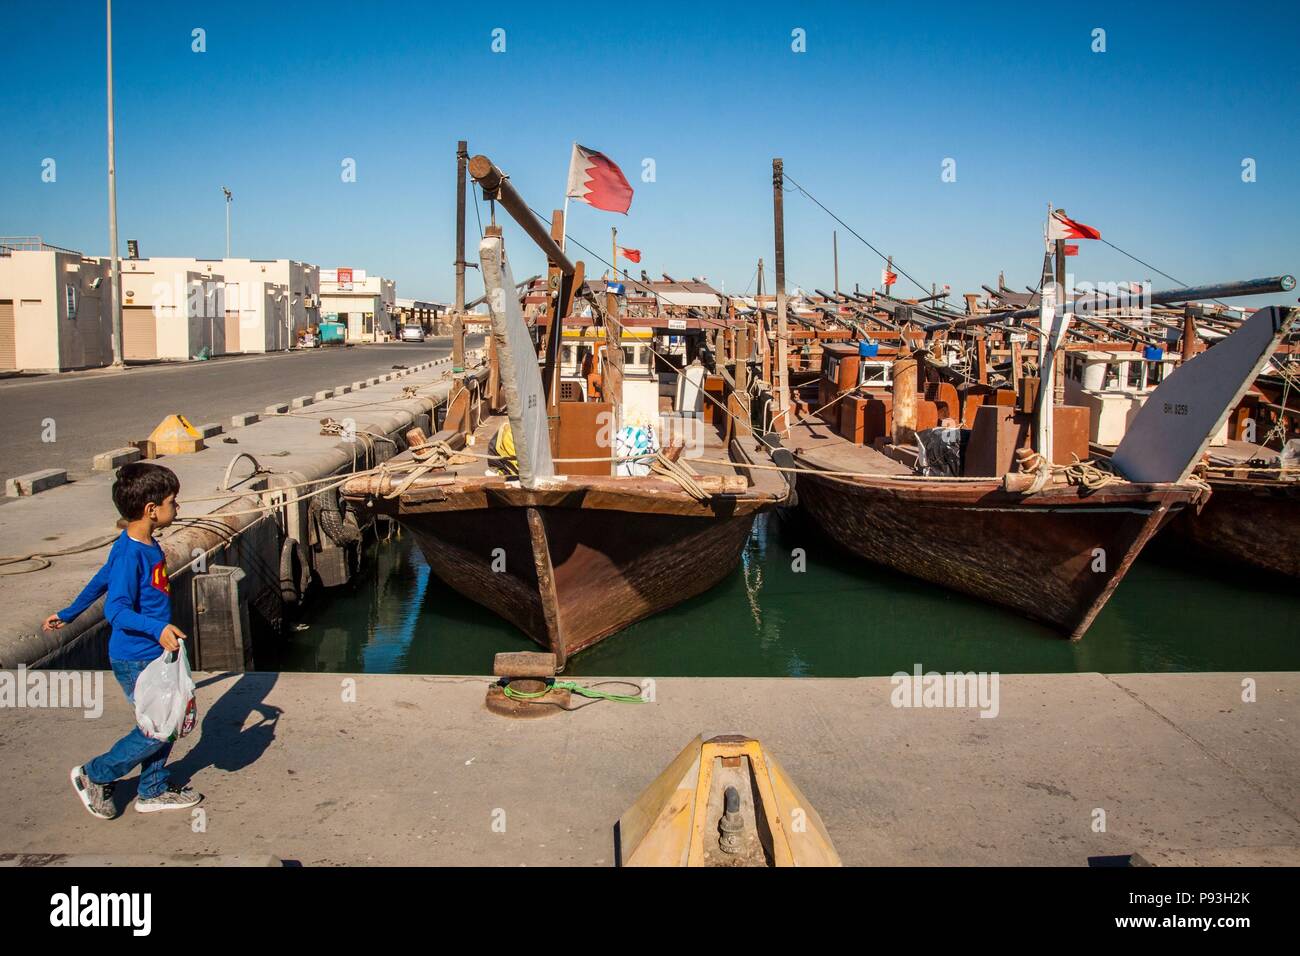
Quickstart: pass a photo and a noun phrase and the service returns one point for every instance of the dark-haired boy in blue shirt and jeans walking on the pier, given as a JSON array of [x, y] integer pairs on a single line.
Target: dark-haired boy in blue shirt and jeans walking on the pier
[[138, 609]]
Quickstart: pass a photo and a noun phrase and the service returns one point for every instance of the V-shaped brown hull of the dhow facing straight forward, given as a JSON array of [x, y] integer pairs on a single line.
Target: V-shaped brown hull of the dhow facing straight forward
[[570, 578]]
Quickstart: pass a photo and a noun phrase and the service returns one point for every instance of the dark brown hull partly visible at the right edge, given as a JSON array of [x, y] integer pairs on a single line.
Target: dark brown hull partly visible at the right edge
[[1250, 522]]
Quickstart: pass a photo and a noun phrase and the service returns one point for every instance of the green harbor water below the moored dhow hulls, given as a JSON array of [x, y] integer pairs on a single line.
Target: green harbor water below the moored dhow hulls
[[839, 617]]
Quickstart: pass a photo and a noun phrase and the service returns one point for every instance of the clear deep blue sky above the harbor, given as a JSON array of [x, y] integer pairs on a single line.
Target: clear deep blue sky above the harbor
[[1145, 141]]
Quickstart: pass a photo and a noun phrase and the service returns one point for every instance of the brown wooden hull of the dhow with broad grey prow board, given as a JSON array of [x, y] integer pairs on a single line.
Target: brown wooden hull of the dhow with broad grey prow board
[[1055, 556]]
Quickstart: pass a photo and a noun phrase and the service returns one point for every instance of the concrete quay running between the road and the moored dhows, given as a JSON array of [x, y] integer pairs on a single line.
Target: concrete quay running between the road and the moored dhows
[[289, 448]]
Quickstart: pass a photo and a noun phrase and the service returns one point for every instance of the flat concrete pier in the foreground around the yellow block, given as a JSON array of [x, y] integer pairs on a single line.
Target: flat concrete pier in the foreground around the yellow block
[[315, 769]]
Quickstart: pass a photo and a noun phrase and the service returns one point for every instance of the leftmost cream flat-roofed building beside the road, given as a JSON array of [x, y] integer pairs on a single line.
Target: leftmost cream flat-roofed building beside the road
[[54, 309]]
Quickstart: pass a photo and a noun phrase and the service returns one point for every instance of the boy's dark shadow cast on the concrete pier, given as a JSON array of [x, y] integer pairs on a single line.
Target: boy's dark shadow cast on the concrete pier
[[224, 742]]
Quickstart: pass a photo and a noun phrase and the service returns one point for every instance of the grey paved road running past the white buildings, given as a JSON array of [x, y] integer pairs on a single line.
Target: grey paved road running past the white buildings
[[101, 410]]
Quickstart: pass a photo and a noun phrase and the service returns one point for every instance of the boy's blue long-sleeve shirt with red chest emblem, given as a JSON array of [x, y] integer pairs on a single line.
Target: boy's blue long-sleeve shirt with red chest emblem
[[140, 599]]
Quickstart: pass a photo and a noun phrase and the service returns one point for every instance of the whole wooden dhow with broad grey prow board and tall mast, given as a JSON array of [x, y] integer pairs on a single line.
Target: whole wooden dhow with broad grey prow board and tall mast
[[991, 492]]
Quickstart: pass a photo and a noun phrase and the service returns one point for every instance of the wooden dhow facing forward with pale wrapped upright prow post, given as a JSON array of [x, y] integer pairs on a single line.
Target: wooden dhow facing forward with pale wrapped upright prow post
[[570, 550]]
